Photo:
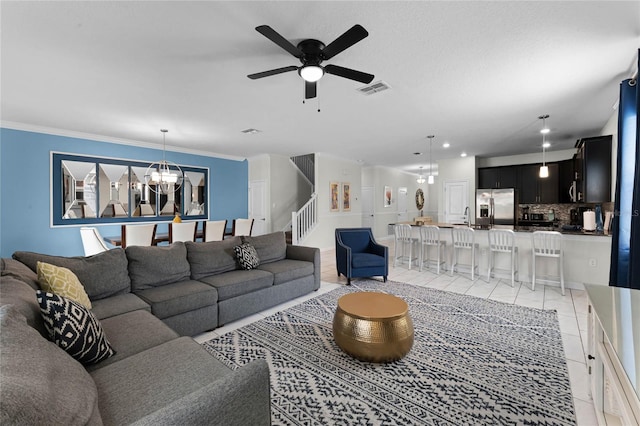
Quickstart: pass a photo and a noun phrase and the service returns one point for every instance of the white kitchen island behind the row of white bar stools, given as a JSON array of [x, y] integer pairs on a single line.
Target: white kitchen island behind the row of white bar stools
[[586, 255]]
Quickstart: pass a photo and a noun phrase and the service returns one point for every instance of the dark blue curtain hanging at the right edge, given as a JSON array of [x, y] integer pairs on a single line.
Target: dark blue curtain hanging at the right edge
[[625, 248]]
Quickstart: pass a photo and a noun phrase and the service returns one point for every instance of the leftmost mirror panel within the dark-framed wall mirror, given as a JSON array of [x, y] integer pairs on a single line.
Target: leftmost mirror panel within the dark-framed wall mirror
[[78, 189]]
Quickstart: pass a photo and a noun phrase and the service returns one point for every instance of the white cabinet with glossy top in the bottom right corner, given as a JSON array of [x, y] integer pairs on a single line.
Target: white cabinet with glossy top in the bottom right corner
[[614, 354]]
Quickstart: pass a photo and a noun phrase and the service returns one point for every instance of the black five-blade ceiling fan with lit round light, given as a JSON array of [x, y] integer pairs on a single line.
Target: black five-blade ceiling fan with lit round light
[[311, 53]]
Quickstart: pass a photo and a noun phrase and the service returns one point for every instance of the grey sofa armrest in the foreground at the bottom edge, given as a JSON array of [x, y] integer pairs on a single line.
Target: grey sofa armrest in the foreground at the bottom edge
[[241, 398]]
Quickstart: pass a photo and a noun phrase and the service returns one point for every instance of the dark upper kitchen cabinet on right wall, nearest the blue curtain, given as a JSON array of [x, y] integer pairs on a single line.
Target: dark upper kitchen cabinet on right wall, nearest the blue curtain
[[593, 169]]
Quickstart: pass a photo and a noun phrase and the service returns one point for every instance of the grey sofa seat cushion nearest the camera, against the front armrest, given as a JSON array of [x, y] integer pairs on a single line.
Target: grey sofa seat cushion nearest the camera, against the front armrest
[[148, 381]]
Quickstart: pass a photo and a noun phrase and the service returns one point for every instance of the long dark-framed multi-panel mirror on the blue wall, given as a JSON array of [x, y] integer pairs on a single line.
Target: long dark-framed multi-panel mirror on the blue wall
[[96, 189]]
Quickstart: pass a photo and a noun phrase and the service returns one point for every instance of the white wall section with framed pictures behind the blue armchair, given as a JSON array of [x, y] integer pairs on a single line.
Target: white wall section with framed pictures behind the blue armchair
[[335, 169]]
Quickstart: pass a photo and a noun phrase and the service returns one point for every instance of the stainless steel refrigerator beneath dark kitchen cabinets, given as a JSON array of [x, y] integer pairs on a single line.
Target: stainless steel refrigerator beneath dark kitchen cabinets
[[496, 206]]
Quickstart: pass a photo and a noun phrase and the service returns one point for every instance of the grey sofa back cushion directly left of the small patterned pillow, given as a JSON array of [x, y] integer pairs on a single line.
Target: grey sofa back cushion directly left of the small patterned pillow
[[212, 257]]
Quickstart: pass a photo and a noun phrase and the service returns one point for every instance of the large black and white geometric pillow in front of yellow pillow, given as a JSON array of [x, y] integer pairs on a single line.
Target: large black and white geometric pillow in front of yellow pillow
[[74, 328]]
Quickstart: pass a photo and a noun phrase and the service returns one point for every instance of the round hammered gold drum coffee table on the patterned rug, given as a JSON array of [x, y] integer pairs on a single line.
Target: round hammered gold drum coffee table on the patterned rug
[[373, 326]]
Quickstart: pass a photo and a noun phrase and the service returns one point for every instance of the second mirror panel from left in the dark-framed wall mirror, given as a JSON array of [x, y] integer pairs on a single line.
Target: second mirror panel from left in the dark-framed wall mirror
[[114, 190]]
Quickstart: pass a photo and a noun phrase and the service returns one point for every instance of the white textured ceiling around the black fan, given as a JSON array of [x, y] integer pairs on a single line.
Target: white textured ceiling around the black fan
[[475, 74]]
